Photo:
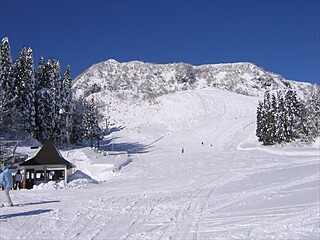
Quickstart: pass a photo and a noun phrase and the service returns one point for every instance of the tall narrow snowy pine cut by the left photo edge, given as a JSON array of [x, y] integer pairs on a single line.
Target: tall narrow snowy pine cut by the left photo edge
[[8, 110]]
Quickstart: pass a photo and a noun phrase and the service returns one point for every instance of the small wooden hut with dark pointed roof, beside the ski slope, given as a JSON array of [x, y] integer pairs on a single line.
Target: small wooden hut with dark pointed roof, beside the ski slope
[[47, 165]]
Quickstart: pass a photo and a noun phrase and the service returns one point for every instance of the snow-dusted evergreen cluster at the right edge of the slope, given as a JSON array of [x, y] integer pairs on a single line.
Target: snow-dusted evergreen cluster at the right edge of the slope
[[282, 117]]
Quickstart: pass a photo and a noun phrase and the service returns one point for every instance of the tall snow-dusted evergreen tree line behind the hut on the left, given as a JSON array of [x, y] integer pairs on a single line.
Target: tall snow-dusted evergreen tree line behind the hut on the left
[[40, 101]]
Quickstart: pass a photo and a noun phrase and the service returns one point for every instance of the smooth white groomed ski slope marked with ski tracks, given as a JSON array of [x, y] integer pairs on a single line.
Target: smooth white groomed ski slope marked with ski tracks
[[229, 187]]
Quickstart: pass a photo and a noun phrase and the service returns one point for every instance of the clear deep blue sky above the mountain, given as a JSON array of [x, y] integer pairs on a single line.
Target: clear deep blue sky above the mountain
[[280, 36]]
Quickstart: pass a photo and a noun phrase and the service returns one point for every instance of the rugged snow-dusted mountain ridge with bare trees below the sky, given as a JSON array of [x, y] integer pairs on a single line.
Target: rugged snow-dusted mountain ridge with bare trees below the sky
[[149, 80]]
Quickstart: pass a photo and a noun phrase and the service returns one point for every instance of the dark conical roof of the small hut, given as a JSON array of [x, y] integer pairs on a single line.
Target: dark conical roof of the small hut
[[48, 155]]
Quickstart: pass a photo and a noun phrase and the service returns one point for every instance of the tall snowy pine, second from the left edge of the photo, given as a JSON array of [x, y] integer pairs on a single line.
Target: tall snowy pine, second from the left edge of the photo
[[25, 83]]
